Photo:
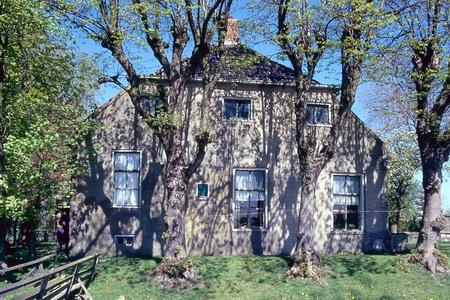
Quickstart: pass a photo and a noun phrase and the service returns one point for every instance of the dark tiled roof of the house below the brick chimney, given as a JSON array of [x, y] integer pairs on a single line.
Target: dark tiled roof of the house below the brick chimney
[[242, 64]]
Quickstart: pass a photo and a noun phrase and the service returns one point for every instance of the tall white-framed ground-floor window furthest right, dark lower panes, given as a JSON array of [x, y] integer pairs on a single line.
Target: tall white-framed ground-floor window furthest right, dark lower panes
[[347, 200]]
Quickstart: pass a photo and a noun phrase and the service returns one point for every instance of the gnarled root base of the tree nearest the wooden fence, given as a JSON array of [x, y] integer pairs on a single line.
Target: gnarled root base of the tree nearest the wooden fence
[[176, 274]]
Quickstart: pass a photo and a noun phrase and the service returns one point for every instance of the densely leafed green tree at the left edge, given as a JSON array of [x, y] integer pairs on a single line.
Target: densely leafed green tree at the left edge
[[42, 110]]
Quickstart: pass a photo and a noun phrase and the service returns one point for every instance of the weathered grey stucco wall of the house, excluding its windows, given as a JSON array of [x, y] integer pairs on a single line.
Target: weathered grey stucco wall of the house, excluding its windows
[[265, 142]]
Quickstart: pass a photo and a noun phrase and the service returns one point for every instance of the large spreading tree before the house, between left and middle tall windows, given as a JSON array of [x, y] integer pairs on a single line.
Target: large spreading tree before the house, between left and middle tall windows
[[166, 27]]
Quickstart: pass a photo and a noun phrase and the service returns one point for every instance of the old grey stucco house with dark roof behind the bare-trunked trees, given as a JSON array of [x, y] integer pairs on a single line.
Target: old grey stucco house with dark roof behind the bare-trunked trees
[[244, 198]]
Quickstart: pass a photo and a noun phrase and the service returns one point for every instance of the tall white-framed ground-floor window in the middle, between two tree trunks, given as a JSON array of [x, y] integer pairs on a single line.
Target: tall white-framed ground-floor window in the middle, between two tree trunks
[[249, 198]]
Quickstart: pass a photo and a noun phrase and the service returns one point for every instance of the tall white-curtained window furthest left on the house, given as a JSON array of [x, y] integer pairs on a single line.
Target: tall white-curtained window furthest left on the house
[[127, 166]]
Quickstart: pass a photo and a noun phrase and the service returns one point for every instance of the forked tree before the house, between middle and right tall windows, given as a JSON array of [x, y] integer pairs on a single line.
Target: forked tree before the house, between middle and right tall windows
[[304, 30]]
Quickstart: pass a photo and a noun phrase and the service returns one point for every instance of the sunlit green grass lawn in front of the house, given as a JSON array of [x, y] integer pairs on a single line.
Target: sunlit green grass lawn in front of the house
[[347, 277]]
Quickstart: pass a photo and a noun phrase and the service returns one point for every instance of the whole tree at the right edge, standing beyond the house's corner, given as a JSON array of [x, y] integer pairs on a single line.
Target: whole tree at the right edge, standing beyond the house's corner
[[421, 31]]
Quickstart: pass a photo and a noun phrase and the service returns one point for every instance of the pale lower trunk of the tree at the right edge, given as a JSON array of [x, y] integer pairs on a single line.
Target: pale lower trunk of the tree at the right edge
[[432, 221]]
